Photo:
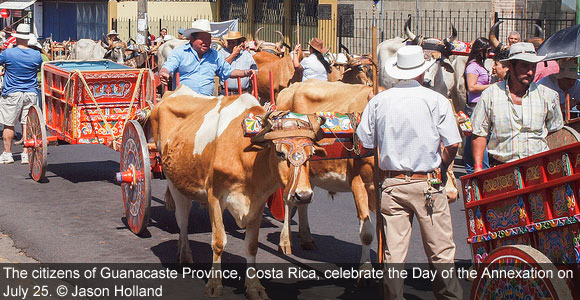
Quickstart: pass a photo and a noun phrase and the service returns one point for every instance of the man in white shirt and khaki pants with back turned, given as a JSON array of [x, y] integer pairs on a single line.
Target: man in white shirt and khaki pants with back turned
[[409, 123]]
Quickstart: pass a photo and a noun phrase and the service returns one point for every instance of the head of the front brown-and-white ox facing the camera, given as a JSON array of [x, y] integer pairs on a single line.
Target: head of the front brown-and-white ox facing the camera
[[292, 142]]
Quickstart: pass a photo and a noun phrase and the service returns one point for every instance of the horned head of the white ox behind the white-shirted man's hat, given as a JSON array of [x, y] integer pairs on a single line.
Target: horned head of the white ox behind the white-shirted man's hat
[[434, 48]]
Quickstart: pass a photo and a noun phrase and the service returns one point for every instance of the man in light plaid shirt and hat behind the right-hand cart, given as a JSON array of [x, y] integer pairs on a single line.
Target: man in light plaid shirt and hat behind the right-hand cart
[[515, 114]]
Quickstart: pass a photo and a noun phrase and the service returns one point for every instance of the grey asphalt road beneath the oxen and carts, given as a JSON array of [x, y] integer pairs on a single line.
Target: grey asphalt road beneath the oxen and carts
[[77, 217]]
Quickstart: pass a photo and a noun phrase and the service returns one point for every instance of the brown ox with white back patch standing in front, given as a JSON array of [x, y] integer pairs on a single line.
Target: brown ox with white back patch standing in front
[[206, 158]]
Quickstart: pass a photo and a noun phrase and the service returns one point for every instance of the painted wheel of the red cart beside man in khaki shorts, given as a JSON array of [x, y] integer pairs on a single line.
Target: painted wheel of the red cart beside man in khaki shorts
[[36, 143]]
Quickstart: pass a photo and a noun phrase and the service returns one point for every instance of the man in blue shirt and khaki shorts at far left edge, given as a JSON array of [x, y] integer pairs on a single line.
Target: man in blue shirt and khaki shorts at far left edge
[[19, 92]]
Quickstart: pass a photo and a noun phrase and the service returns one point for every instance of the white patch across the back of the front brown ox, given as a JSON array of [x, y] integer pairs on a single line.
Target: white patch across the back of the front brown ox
[[217, 120]]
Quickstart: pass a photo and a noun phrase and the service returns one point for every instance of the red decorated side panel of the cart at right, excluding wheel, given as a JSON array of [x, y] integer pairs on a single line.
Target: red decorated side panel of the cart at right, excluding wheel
[[531, 201]]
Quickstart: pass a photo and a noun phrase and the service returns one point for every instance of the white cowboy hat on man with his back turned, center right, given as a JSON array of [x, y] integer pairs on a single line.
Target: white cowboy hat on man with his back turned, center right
[[408, 63]]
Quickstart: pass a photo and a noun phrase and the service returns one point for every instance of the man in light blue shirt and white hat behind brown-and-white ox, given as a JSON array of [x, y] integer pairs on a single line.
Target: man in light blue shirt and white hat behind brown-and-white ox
[[197, 63]]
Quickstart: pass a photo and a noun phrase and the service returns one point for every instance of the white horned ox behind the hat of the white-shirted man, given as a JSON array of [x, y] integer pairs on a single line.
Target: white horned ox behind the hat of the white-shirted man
[[434, 49]]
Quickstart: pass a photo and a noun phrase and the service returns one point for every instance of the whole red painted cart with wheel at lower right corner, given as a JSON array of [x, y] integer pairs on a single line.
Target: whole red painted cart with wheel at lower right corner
[[524, 217]]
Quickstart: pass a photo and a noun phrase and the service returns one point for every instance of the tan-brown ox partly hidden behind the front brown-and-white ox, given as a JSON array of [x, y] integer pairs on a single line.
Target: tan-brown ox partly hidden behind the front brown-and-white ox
[[340, 175]]
